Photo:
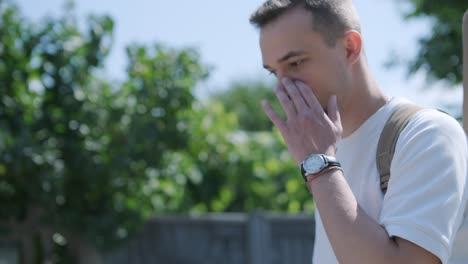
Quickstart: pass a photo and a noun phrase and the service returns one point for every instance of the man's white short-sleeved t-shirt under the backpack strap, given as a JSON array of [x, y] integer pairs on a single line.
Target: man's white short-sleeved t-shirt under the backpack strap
[[426, 198]]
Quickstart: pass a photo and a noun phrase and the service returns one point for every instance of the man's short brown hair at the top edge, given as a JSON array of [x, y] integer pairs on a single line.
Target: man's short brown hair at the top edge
[[330, 17]]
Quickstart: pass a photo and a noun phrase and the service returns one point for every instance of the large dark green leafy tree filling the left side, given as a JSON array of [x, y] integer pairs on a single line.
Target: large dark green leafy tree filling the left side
[[77, 153]]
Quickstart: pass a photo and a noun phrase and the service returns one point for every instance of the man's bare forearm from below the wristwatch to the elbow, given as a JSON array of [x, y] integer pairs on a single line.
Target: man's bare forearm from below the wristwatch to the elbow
[[355, 236]]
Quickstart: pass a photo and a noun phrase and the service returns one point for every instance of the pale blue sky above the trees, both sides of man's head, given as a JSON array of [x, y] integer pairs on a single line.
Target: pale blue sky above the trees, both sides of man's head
[[220, 31]]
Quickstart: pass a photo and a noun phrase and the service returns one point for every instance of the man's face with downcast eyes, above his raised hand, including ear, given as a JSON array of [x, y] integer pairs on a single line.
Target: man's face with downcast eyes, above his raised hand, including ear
[[291, 48]]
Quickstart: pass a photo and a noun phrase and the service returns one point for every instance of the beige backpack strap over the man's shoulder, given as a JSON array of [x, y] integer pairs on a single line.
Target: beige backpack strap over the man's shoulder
[[389, 137]]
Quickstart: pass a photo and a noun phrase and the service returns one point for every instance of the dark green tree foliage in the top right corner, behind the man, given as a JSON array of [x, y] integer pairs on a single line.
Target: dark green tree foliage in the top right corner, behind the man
[[440, 53]]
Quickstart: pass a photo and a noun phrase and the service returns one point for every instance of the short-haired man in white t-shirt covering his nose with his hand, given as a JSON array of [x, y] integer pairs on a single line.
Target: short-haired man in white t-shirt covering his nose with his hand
[[335, 108]]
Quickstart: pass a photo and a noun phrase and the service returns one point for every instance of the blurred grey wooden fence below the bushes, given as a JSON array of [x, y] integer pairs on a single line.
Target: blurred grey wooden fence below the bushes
[[227, 238]]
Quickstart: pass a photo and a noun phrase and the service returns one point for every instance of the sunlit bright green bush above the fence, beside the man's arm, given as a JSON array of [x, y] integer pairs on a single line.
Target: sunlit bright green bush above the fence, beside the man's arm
[[236, 170]]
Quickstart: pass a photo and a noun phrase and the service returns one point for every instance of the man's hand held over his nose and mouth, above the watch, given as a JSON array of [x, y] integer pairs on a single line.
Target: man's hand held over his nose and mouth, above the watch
[[307, 128]]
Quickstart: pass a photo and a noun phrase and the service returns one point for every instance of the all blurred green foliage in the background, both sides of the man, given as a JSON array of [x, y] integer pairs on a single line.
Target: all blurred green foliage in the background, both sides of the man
[[85, 161]]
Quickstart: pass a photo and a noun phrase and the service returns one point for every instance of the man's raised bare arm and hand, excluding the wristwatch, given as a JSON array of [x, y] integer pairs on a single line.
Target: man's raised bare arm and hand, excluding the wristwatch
[[355, 237]]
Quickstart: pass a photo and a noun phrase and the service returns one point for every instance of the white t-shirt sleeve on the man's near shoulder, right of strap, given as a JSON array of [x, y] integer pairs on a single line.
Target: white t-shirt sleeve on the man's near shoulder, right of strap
[[426, 189]]
